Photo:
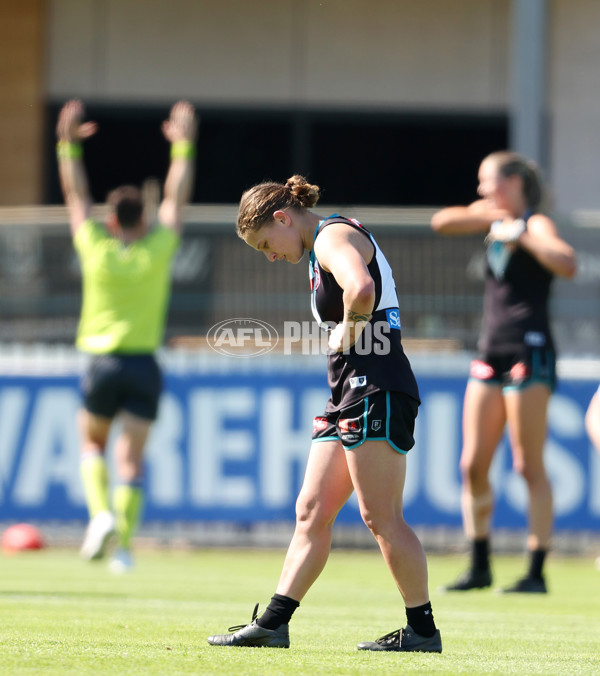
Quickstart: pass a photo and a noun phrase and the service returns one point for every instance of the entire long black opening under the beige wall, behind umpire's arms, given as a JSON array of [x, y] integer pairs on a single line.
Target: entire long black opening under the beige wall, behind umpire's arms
[[365, 157]]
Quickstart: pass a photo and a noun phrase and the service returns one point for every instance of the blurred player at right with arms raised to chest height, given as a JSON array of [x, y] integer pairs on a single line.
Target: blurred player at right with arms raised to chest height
[[514, 374]]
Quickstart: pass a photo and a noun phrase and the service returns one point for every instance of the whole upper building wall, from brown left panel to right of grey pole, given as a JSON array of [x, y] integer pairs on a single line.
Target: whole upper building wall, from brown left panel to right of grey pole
[[429, 55]]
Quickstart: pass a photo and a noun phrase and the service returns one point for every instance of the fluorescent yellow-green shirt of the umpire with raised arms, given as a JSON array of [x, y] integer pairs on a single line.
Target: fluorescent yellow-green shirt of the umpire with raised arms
[[125, 289]]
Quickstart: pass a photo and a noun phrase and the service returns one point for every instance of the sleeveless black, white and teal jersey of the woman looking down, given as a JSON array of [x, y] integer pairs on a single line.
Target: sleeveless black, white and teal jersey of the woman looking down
[[377, 361]]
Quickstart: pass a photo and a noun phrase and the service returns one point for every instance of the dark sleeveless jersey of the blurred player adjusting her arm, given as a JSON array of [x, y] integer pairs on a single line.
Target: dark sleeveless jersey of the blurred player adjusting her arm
[[515, 312]]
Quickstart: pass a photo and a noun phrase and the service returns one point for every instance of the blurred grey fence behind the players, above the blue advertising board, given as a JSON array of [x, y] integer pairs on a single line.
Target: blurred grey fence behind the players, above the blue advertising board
[[216, 278]]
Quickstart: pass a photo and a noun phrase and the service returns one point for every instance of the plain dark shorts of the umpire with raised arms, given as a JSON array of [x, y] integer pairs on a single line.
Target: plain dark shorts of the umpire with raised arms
[[118, 382]]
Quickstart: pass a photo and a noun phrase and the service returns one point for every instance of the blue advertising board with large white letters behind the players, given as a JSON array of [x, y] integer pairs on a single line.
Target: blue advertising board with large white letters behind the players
[[232, 444]]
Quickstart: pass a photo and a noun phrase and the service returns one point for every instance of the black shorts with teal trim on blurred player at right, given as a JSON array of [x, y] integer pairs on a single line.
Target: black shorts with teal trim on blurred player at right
[[516, 371]]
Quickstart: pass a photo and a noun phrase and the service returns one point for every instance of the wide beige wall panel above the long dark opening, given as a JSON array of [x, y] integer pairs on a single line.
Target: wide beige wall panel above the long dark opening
[[430, 53]]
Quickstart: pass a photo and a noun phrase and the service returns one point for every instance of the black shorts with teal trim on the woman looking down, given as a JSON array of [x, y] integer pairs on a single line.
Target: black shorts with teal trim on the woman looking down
[[383, 416]]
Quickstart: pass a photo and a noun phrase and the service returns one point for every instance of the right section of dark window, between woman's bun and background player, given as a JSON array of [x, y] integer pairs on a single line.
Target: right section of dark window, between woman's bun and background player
[[403, 160]]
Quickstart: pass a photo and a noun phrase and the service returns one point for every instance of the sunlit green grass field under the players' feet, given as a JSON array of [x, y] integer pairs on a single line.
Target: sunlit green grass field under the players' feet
[[62, 616]]
